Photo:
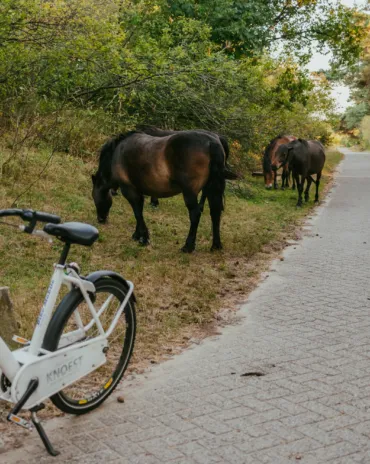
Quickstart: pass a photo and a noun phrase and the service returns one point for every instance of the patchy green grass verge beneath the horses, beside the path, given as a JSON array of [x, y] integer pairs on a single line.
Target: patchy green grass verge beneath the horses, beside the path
[[178, 295]]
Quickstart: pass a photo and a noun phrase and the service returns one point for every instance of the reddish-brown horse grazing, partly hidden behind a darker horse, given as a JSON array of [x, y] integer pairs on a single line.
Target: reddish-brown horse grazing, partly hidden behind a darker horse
[[269, 160]]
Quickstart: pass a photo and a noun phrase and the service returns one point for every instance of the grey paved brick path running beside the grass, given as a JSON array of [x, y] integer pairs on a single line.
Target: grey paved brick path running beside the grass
[[307, 328]]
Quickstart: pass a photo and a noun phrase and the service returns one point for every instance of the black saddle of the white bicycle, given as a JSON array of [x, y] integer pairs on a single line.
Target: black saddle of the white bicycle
[[73, 232]]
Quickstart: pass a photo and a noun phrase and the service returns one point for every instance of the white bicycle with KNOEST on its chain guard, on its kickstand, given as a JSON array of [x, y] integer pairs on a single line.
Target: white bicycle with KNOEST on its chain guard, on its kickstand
[[79, 352]]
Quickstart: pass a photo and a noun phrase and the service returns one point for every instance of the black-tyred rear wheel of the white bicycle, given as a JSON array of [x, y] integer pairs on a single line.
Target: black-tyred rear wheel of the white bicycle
[[89, 392]]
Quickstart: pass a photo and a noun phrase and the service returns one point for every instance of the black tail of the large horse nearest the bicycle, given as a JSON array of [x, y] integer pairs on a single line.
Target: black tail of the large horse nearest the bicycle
[[216, 182]]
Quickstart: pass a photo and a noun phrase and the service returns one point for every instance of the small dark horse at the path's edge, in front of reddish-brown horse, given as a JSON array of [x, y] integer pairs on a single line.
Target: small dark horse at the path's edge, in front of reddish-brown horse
[[305, 158]]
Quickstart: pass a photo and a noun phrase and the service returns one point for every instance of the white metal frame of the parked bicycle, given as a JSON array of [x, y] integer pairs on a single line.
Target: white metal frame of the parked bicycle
[[15, 364]]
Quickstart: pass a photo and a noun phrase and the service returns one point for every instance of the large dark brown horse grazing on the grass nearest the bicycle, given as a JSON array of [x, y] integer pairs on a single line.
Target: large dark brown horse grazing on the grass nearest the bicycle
[[185, 162]]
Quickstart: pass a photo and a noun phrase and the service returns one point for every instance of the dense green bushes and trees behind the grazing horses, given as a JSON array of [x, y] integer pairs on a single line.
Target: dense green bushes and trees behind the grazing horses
[[73, 71]]
